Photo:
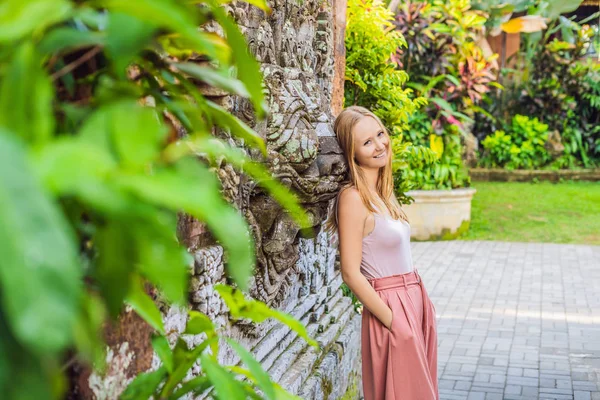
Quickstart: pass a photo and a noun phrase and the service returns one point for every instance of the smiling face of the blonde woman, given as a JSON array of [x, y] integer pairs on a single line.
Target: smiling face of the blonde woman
[[371, 144]]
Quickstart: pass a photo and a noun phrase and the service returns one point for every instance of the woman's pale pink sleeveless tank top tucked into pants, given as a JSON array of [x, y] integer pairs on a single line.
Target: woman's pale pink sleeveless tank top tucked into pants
[[386, 250]]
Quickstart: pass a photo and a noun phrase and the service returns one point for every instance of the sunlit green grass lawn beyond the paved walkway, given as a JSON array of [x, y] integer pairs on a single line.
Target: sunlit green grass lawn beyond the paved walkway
[[567, 212]]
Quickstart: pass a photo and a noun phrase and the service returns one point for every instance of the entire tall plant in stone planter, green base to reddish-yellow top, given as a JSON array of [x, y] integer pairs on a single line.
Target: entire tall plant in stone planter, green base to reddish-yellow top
[[449, 69]]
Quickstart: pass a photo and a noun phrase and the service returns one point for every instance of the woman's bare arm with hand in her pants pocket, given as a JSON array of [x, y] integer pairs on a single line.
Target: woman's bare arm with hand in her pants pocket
[[352, 215]]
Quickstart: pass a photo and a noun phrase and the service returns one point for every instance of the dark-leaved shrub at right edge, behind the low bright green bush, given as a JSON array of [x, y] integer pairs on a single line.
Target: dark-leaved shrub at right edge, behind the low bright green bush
[[554, 82]]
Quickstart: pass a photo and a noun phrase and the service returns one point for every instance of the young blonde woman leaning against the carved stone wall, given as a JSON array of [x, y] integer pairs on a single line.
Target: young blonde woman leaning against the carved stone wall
[[399, 338]]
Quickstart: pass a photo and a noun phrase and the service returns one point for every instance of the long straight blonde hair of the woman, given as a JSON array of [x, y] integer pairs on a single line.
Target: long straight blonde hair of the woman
[[343, 127]]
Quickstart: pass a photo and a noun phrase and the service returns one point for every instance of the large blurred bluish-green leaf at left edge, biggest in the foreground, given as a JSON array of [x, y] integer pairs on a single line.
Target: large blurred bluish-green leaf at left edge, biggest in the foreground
[[40, 276]]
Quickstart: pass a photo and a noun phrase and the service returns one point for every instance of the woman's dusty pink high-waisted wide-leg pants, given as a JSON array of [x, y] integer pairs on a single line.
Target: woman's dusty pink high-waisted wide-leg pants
[[400, 363]]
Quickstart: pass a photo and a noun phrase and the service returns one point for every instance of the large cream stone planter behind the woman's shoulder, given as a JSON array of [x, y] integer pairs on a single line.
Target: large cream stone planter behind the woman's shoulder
[[439, 214]]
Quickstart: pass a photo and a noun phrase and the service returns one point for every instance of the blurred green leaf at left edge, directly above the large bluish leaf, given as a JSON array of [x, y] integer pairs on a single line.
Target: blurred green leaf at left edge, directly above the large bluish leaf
[[26, 97]]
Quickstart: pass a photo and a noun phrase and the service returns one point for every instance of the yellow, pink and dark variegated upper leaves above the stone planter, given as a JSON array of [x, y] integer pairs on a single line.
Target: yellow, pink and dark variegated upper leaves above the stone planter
[[443, 57]]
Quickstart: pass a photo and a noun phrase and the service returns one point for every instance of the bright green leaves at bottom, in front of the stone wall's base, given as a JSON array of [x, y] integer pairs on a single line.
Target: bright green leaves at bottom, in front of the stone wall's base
[[221, 382]]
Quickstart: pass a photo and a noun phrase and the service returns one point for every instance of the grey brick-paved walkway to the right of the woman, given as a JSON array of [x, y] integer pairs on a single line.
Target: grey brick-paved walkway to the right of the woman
[[515, 320]]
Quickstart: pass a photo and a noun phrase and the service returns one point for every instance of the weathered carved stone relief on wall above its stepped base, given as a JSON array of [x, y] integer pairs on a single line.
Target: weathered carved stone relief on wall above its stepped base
[[295, 47]]
